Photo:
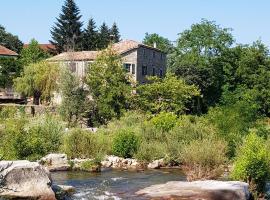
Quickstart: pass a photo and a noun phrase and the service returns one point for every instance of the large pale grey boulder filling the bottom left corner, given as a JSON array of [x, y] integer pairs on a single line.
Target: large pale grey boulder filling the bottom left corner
[[24, 180]]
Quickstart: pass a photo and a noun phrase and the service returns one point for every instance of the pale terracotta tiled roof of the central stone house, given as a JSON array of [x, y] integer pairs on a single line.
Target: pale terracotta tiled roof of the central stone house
[[120, 47]]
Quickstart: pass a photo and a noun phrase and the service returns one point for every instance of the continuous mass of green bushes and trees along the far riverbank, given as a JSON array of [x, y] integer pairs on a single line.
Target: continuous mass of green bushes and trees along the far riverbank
[[210, 111]]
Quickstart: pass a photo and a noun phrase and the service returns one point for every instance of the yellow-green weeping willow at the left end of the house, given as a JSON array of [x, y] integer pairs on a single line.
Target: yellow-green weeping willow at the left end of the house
[[38, 80]]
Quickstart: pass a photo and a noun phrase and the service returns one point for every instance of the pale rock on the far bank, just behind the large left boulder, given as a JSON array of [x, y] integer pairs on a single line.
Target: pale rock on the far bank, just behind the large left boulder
[[55, 162]]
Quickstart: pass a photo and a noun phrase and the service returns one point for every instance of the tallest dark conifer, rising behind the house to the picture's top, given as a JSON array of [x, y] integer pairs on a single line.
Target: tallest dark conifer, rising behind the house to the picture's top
[[67, 34]]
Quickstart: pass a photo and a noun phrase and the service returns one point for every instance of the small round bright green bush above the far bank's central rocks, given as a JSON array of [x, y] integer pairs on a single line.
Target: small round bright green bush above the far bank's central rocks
[[125, 144]]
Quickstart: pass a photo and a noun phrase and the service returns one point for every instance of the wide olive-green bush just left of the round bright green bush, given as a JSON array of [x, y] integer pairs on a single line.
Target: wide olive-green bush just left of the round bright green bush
[[79, 143]]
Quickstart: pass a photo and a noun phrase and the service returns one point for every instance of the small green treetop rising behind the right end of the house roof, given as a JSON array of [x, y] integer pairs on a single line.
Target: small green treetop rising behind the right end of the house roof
[[161, 43]]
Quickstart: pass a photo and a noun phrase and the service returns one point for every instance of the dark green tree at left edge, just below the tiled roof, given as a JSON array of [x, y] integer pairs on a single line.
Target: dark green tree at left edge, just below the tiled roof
[[10, 68]]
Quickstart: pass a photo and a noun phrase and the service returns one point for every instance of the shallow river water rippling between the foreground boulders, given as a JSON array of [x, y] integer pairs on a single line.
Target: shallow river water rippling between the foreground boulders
[[114, 184]]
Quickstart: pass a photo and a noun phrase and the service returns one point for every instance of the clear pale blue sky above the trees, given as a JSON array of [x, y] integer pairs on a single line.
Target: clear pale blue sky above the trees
[[250, 19]]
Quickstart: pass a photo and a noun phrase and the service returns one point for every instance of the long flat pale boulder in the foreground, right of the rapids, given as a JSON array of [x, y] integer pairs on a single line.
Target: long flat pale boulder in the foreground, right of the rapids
[[210, 190]]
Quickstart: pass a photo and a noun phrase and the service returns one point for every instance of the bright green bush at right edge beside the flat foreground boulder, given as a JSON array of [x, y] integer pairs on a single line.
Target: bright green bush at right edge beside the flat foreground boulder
[[252, 163]]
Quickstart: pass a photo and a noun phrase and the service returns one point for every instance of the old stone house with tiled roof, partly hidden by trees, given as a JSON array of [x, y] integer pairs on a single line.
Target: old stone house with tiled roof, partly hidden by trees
[[138, 59]]
